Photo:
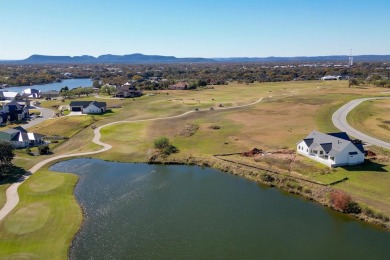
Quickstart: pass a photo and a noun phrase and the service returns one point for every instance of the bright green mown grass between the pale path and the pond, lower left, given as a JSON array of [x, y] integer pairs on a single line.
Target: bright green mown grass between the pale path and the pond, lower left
[[47, 217]]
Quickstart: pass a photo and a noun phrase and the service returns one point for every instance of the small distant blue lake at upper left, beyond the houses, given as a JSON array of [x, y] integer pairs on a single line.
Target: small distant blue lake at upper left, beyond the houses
[[71, 83]]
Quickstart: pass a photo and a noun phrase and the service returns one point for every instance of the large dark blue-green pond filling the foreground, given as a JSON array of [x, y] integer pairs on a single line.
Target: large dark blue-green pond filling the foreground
[[141, 211]]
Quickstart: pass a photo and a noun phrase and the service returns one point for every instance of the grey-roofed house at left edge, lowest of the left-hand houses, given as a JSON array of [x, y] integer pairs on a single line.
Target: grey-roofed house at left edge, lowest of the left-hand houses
[[20, 138]]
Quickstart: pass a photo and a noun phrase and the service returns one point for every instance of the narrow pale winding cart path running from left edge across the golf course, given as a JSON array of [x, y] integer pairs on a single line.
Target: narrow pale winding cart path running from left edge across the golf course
[[12, 191]]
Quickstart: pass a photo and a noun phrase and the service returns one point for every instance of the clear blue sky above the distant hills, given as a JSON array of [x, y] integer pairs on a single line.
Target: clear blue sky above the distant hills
[[194, 28]]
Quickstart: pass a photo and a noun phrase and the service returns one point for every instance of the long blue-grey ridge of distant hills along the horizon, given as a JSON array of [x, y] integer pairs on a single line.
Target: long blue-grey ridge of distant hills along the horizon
[[138, 58]]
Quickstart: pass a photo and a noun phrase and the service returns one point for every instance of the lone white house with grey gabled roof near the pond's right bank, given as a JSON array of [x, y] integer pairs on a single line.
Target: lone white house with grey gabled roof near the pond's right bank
[[333, 149]]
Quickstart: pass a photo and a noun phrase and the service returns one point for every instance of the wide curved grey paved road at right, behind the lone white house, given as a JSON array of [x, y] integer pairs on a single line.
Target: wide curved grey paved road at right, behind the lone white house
[[339, 119]]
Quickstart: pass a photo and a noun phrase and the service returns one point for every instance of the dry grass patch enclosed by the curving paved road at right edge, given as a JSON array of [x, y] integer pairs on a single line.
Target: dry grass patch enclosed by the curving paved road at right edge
[[373, 118]]
